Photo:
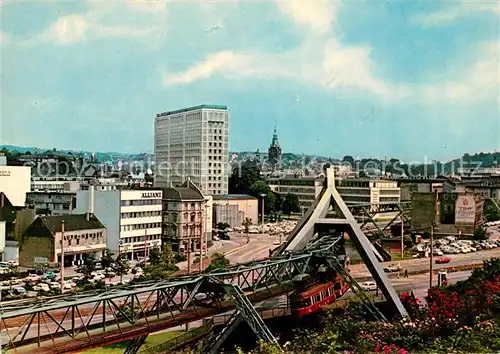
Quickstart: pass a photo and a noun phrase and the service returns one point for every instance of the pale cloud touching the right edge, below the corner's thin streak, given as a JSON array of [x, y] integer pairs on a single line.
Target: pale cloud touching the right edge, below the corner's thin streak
[[482, 81]]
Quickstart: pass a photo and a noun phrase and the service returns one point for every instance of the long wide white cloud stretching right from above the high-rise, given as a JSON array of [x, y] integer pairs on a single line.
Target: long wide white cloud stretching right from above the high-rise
[[337, 67]]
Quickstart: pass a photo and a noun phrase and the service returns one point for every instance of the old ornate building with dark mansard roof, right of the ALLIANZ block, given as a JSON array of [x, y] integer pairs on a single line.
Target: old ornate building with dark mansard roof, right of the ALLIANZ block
[[184, 218]]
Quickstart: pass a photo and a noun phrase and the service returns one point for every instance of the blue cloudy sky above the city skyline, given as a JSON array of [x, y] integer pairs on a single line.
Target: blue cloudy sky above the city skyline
[[408, 79]]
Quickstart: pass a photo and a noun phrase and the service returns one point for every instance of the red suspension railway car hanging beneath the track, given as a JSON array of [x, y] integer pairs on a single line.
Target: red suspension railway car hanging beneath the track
[[313, 298]]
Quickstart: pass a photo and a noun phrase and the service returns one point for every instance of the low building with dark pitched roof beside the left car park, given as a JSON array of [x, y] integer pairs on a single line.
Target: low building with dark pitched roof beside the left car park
[[83, 234]]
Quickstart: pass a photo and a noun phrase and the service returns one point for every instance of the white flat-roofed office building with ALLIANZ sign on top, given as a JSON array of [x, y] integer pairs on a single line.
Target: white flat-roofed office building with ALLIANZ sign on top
[[131, 216]]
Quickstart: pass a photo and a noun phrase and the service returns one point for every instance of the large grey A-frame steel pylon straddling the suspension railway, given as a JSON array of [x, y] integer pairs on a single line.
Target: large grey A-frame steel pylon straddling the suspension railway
[[328, 201]]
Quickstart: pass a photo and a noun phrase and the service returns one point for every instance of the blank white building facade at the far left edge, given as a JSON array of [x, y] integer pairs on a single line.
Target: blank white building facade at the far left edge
[[15, 182]]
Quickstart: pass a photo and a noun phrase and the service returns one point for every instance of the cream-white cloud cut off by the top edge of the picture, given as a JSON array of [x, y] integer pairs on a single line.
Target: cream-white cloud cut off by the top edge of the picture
[[317, 15]]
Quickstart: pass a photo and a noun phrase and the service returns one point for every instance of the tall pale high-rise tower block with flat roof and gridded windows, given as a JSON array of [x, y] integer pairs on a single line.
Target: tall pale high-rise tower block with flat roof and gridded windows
[[193, 142]]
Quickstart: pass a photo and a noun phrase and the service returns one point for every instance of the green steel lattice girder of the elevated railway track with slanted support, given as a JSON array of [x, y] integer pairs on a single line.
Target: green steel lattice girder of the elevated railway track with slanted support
[[87, 321]]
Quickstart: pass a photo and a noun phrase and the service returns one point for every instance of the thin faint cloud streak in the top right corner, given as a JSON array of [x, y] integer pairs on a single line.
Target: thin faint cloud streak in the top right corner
[[455, 11]]
